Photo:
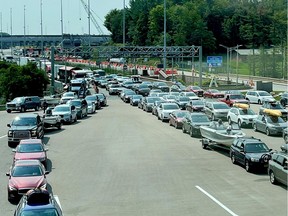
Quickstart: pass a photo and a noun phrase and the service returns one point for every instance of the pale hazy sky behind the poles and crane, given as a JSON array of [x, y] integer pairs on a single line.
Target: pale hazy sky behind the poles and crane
[[75, 18]]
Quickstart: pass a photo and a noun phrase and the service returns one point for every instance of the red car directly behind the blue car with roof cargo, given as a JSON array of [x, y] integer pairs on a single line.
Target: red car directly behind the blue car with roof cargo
[[25, 175]]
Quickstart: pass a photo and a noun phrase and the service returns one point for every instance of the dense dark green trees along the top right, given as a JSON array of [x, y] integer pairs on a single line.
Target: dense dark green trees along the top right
[[255, 24]]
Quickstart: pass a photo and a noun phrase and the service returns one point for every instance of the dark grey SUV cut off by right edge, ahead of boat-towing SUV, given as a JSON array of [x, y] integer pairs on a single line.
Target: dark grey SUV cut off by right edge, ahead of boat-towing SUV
[[277, 168]]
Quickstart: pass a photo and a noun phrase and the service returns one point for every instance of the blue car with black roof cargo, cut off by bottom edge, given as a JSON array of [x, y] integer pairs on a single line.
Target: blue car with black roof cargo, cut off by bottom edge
[[39, 202]]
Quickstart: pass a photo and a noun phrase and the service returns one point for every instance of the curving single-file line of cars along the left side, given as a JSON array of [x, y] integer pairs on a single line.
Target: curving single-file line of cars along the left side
[[27, 182]]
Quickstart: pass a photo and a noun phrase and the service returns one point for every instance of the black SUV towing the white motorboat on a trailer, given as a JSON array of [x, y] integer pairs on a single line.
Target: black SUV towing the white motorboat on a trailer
[[250, 152]]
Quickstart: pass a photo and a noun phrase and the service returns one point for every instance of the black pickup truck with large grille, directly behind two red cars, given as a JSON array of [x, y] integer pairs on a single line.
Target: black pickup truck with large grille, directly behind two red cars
[[25, 126]]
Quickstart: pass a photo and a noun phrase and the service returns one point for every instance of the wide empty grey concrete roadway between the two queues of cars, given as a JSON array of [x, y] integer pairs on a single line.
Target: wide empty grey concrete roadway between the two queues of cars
[[123, 161]]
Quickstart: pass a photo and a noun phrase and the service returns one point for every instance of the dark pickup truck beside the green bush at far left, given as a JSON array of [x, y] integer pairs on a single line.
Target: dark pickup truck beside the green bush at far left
[[23, 103]]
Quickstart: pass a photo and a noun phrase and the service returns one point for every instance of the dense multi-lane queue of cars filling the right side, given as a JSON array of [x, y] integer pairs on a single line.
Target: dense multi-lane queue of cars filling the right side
[[233, 107]]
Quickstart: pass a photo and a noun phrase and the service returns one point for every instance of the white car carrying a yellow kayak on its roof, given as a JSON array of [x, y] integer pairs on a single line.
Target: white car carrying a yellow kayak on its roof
[[242, 116]]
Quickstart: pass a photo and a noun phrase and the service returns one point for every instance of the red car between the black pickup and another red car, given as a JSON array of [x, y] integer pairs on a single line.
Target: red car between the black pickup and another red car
[[31, 149]]
